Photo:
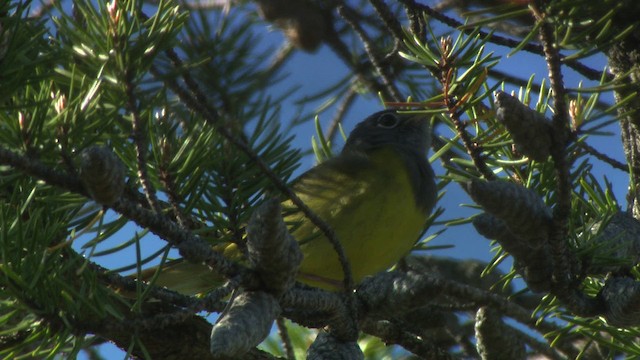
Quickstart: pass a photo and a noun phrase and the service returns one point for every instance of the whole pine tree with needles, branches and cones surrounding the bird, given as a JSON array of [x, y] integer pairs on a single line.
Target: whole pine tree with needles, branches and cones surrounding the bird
[[135, 132]]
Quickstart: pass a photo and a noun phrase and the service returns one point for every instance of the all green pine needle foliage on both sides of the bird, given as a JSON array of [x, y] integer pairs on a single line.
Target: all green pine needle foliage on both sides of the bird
[[190, 99]]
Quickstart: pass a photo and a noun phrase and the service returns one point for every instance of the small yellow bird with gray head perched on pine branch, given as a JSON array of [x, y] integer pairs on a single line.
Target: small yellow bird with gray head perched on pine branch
[[376, 195]]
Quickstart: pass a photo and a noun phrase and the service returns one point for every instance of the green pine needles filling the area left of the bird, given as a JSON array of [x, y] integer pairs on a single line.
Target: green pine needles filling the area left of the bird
[[103, 69]]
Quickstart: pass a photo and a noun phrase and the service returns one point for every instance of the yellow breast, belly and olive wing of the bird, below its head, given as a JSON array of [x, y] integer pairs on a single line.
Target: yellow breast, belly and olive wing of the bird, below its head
[[371, 208]]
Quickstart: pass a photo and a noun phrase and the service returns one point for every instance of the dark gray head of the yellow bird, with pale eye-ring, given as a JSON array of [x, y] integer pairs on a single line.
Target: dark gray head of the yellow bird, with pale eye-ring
[[407, 132]]
